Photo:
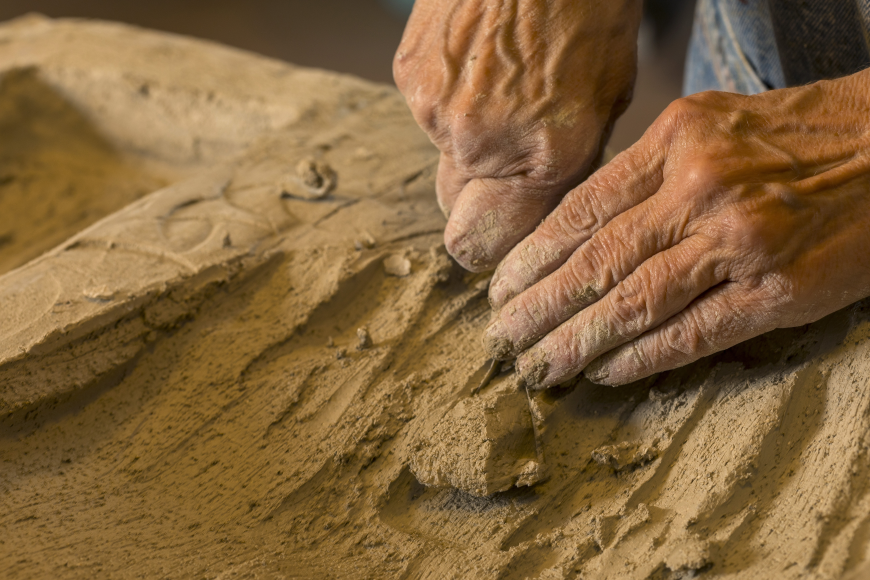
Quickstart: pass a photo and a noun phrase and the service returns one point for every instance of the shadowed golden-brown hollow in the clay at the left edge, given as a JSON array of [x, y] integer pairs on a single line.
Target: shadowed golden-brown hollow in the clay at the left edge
[[57, 173]]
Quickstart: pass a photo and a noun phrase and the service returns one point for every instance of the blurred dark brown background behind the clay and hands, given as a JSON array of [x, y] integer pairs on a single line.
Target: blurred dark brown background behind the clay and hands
[[360, 36]]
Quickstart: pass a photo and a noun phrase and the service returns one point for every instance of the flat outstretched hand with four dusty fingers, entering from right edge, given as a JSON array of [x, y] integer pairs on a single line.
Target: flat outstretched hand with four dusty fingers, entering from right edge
[[732, 216]]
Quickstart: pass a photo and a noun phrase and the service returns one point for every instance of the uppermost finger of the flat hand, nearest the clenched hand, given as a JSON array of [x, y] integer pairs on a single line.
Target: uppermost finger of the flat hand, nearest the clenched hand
[[632, 176]]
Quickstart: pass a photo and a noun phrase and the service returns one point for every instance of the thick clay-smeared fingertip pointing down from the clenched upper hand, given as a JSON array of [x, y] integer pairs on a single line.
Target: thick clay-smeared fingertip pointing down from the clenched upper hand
[[491, 215]]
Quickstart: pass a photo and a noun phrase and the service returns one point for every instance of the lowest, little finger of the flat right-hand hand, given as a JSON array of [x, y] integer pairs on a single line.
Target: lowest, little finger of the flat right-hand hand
[[723, 317]]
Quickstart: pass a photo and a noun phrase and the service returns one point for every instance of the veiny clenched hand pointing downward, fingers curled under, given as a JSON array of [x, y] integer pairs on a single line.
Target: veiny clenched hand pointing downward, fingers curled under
[[519, 97]]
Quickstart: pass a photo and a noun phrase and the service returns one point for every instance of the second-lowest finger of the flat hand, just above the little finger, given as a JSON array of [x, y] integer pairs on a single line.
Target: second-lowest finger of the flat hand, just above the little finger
[[660, 288]]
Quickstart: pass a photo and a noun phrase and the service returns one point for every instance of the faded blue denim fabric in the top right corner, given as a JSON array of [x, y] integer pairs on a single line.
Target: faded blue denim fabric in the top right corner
[[749, 46]]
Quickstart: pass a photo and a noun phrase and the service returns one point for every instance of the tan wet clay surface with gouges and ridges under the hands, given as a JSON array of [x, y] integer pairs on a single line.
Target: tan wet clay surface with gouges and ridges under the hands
[[230, 337]]
